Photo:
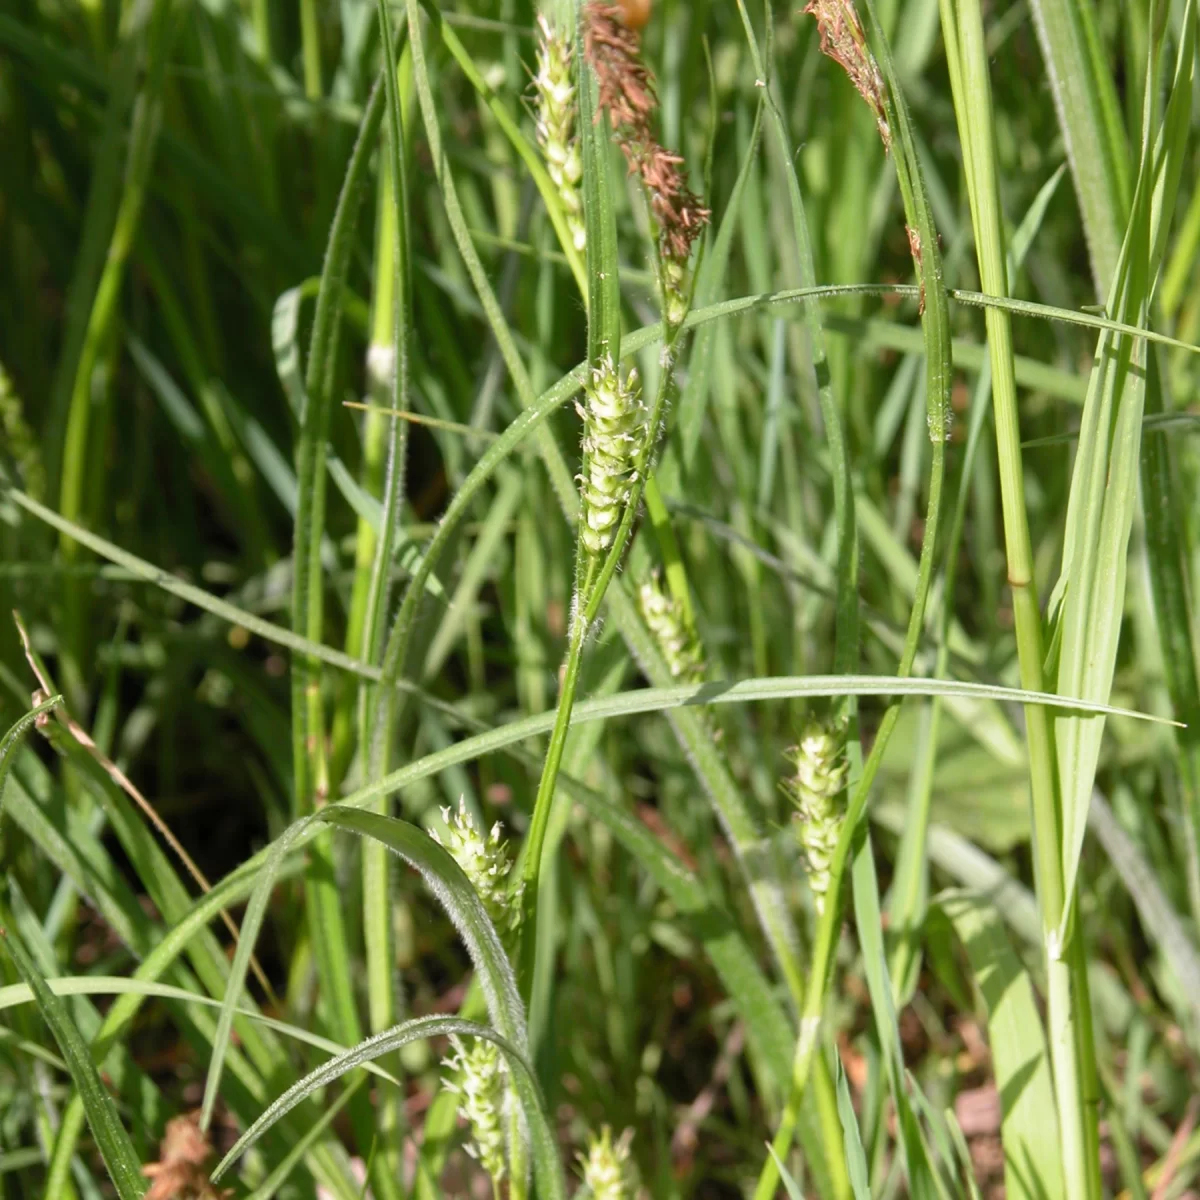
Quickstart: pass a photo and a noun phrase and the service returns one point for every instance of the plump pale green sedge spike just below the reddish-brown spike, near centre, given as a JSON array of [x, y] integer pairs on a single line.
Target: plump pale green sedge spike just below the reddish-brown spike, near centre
[[614, 425]]
